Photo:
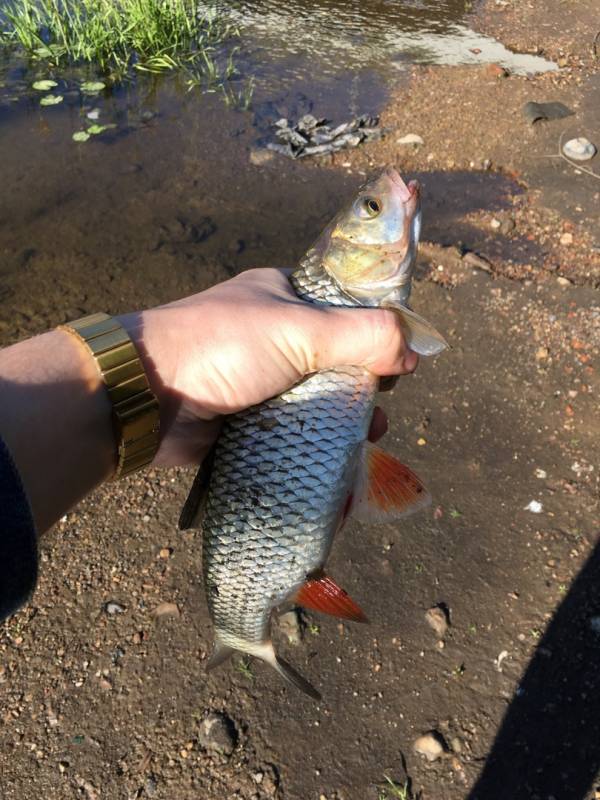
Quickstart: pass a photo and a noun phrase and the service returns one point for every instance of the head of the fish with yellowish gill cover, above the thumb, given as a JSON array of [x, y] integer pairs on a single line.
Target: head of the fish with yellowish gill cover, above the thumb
[[370, 247]]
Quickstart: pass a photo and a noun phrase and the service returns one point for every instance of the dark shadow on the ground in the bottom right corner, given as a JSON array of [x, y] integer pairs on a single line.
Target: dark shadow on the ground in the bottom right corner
[[549, 742]]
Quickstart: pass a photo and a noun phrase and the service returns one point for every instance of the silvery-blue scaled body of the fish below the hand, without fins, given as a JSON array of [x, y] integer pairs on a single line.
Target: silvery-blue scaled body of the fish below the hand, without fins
[[282, 473]]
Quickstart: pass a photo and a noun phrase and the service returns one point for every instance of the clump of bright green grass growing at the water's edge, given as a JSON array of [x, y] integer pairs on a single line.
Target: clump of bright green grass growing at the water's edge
[[119, 35]]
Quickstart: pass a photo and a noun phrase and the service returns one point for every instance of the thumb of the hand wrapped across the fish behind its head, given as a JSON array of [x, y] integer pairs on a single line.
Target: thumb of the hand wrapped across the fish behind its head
[[371, 338]]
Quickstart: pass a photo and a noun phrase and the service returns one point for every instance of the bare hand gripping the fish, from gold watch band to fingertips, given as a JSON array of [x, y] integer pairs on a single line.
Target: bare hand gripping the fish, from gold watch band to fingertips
[[244, 341]]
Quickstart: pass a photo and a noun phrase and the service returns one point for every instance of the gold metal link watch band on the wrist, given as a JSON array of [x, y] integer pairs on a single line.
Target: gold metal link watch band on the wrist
[[135, 407]]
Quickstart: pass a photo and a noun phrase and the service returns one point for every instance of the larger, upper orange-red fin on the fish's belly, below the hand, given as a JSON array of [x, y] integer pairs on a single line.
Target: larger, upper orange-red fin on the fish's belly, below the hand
[[385, 489]]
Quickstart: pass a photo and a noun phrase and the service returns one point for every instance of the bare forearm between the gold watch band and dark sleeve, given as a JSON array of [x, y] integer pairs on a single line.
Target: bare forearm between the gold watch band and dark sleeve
[[56, 420]]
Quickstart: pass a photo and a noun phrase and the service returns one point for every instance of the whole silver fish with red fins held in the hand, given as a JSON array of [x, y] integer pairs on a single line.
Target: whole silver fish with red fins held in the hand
[[286, 474]]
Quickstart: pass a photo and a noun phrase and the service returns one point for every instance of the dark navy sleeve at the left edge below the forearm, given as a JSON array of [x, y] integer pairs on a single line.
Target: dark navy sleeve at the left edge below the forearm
[[18, 540]]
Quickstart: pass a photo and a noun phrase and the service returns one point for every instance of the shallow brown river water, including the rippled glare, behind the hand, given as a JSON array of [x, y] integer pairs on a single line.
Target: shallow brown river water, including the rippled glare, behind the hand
[[169, 199]]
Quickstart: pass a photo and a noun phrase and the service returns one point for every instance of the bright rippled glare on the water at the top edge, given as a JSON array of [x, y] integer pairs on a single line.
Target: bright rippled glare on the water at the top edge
[[307, 39]]
